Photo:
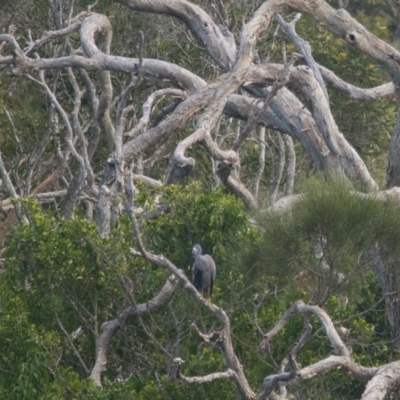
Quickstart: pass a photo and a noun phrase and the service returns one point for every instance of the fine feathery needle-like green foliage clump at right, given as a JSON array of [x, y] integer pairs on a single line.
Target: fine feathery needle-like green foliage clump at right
[[325, 235]]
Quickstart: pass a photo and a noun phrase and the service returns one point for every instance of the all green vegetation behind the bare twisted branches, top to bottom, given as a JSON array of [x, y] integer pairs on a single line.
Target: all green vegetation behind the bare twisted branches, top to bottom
[[59, 275]]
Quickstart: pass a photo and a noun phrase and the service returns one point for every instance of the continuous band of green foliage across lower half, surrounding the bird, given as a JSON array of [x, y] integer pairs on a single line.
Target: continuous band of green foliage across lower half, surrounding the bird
[[62, 268]]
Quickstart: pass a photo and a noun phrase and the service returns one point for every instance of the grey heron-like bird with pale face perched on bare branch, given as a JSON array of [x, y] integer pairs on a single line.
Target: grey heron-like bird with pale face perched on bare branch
[[204, 271]]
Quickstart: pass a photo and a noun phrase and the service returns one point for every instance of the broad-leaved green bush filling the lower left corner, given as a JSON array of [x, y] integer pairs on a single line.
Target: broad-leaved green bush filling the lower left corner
[[55, 270]]
